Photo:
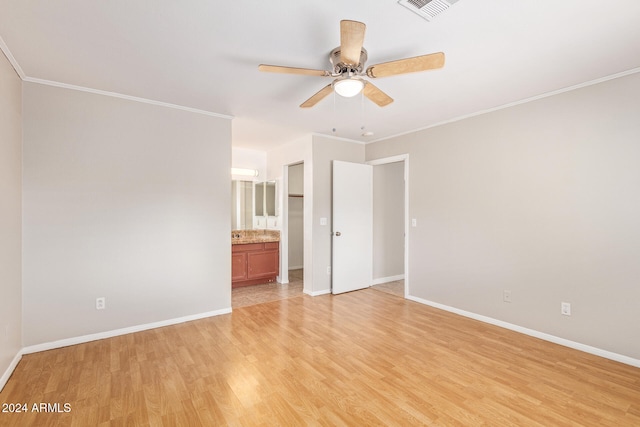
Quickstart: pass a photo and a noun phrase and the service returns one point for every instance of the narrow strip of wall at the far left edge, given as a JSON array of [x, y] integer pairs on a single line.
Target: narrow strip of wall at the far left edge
[[10, 216]]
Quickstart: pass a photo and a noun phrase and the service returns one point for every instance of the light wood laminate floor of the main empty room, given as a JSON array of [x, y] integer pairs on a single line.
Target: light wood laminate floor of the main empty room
[[361, 358]]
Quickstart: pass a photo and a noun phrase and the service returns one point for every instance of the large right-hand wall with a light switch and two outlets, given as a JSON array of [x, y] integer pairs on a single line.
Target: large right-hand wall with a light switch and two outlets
[[541, 199]]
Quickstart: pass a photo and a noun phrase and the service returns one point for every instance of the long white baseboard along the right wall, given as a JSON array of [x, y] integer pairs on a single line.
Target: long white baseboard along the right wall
[[531, 332]]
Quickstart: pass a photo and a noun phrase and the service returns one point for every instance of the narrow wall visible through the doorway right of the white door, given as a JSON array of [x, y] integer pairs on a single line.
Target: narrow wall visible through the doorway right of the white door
[[388, 222]]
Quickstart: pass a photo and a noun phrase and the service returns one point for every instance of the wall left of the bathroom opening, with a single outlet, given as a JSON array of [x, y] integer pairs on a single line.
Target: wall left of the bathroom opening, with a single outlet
[[123, 200]]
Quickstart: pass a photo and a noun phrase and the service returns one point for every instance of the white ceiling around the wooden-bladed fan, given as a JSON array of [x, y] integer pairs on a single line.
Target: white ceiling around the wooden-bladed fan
[[204, 55]]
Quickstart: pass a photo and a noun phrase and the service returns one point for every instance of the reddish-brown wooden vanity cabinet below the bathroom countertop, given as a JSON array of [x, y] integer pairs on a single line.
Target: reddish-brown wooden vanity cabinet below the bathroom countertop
[[254, 263]]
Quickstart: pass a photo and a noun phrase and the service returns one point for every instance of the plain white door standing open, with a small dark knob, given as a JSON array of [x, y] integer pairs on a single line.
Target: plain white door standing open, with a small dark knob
[[352, 226]]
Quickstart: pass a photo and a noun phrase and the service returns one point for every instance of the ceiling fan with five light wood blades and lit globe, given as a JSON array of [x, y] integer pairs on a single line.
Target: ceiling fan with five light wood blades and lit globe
[[348, 61]]
